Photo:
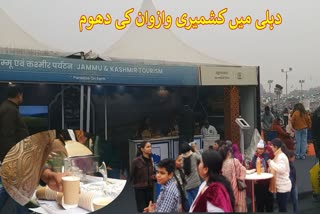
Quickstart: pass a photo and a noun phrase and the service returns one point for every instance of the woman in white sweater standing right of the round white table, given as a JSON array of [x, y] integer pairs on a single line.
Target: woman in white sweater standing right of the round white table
[[279, 167]]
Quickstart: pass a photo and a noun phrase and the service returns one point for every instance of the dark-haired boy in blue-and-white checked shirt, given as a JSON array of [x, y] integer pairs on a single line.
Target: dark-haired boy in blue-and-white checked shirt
[[169, 198]]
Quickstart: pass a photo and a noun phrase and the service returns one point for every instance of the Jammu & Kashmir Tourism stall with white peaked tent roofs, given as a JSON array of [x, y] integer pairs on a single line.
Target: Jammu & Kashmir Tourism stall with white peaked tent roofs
[[118, 91]]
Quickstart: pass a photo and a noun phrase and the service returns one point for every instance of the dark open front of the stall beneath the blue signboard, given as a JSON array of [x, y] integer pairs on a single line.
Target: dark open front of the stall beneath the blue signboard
[[115, 113]]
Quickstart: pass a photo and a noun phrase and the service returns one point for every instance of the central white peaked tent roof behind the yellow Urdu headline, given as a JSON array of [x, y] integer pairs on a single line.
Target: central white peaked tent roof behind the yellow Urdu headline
[[161, 46]]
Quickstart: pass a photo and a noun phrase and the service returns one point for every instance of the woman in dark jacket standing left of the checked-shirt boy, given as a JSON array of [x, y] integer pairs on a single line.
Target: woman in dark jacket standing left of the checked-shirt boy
[[142, 176]]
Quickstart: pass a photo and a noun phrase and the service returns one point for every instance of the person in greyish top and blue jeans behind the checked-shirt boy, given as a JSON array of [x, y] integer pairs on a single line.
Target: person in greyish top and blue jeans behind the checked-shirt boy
[[190, 161]]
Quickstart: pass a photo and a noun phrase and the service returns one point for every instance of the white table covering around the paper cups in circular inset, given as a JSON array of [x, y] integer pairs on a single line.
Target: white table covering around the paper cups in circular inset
[[110, 188]]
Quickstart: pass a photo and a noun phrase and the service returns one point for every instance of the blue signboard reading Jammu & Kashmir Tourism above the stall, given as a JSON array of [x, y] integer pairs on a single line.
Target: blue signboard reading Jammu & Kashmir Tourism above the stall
[[55, 69]]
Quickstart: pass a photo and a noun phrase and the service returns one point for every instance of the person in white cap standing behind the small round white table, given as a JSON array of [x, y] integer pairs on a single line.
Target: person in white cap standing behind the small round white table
[[264, 198]]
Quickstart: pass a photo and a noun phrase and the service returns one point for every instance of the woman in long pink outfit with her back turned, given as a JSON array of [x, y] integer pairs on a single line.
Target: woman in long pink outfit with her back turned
[[232, 169]]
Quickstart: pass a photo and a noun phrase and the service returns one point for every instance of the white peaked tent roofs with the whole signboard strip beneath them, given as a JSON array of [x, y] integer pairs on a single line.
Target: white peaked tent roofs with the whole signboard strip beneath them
[[141, 56]]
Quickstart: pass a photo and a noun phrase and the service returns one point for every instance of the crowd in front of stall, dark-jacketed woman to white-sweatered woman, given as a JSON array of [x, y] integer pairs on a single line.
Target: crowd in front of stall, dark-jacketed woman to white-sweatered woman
[[207, 181]]
